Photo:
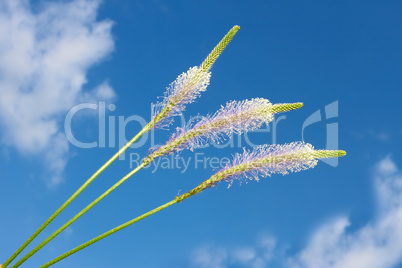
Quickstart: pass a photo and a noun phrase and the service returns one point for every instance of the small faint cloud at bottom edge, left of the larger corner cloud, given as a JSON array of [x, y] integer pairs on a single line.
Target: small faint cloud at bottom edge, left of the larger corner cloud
[[255, 256]]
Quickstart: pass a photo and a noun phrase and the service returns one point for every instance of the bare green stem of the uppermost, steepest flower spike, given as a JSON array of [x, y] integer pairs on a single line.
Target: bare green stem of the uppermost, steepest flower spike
[[85, 185]]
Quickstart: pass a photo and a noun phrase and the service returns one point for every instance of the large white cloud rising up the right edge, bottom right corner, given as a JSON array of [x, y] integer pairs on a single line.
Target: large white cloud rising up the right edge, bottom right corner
[[376, 245]]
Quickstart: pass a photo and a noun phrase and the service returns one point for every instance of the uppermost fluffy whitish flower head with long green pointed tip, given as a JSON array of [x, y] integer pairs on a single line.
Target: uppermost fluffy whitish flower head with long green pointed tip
[[188, 86]]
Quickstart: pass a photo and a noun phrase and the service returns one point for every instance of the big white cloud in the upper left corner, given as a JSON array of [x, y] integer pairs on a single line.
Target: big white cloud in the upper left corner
[[44, 58]]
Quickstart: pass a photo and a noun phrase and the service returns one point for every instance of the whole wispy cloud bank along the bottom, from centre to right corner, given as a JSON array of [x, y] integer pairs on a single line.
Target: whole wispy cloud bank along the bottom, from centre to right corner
[[378, 244]]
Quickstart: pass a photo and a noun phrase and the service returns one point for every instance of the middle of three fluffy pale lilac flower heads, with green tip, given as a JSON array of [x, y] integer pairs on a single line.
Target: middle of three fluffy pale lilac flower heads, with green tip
[[236, 117]]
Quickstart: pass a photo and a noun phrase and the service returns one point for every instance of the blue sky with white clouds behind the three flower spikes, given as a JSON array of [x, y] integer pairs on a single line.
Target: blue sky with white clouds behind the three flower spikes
[[342, 59]]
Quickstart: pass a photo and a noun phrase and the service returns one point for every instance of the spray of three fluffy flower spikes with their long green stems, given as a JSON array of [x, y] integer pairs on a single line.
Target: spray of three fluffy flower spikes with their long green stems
[[236, 117]]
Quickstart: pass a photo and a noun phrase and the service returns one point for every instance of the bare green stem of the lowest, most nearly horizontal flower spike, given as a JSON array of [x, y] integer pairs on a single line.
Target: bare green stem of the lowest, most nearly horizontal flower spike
[[112, 231]]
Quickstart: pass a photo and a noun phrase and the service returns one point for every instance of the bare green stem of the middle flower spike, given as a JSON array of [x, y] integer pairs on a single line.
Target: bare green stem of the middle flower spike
[[77, 216]]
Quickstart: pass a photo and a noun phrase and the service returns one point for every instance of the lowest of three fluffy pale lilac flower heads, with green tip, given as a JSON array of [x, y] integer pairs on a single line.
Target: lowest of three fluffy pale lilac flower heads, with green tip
[[266, 160]]
